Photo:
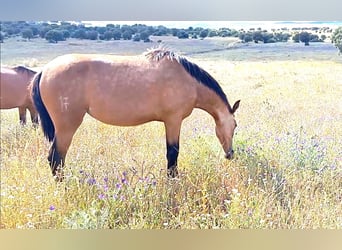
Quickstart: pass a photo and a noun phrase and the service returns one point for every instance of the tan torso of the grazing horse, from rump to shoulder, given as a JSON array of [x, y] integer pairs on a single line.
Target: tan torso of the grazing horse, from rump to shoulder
[[118, 90]]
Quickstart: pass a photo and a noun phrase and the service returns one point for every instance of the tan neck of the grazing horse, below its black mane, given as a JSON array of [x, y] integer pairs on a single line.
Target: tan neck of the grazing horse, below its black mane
[[209, 101]]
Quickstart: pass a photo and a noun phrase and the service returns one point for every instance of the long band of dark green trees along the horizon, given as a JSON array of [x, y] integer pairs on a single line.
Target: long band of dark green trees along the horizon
[[60, 31]]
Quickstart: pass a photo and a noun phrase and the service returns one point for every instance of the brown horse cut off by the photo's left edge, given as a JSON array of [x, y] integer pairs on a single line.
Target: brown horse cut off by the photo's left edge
[[14, 91]]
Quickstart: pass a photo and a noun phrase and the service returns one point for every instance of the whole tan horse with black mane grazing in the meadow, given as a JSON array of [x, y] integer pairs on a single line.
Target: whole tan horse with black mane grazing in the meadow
[[127, 91]]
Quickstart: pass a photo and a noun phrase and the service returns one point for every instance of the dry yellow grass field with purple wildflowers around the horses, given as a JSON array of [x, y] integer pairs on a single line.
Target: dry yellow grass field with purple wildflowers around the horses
[[287, 172]]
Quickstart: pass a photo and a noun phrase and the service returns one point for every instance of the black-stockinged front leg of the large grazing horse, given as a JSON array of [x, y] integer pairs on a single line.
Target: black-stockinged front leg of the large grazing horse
[[172, 129]]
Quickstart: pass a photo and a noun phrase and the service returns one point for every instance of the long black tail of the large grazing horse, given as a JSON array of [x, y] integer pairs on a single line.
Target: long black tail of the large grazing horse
[[45, 119]]
